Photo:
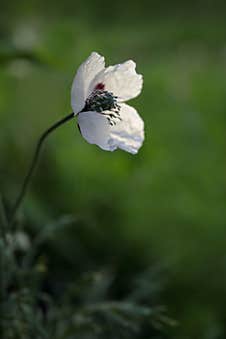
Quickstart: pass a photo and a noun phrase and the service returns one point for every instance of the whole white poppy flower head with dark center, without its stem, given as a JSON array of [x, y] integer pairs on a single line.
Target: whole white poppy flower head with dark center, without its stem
[[97, 97]]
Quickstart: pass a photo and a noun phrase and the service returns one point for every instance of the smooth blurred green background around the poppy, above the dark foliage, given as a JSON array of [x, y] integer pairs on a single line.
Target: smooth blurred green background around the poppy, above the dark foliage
[[164, 206]]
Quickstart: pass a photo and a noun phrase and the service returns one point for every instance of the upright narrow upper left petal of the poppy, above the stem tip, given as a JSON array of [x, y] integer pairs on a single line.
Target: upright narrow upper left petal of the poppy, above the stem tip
[[81, 83]]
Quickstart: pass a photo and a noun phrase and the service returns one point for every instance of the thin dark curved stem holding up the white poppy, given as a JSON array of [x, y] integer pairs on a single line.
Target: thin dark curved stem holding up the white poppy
[[34, 162]]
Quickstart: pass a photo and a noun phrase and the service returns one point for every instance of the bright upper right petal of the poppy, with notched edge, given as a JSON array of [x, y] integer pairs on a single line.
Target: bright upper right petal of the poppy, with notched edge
[[122, 80]]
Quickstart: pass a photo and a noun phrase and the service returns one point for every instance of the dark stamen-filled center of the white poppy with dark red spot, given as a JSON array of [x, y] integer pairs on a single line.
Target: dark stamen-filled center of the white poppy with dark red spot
[[103, 102]]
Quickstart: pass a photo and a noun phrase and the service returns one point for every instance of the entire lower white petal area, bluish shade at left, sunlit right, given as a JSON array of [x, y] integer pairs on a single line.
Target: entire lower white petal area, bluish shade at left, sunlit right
[[127, 134]]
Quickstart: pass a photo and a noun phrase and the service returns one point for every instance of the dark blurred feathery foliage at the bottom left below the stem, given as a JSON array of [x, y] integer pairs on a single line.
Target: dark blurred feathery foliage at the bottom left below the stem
[[35, 304]]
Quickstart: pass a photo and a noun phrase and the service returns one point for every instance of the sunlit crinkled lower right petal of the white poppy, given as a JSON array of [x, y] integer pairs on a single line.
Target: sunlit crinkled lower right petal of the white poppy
[[128, 134]]
